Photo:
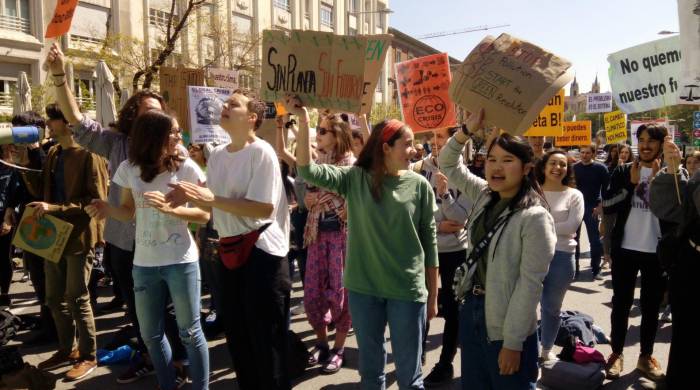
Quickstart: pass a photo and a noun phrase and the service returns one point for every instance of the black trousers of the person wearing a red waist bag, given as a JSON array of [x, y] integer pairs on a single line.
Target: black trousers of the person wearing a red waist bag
[[255, 301]]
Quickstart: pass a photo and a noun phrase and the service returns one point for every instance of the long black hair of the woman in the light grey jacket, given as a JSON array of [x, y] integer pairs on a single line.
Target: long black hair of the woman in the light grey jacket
[[530, 193]]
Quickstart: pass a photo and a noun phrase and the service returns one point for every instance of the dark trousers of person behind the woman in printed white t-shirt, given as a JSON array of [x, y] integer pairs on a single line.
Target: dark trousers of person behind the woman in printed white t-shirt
[[122, 266]]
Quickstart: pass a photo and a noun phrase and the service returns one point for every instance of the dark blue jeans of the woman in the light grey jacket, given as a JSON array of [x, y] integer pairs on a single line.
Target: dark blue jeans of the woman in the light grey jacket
[[480, 355]]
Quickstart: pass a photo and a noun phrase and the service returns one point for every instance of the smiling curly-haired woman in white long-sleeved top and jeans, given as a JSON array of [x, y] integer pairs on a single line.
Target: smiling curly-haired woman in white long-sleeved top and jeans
[[566, 206]]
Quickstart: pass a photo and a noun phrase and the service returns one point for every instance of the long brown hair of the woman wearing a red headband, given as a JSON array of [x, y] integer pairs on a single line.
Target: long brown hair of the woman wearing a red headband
[[372, 160]]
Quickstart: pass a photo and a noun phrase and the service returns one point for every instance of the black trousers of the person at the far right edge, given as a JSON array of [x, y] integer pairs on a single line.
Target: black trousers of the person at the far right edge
[[684, 340]]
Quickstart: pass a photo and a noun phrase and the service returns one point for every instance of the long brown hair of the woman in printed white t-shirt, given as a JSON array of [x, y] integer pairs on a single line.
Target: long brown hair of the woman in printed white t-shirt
[[148, 143]]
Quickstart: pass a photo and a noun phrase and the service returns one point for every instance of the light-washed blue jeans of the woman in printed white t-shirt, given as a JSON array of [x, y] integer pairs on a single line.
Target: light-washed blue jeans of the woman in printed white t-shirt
[[151, 286]]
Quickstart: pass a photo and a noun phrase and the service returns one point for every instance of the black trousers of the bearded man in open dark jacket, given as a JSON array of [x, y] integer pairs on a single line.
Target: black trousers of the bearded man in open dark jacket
[[626, 265]]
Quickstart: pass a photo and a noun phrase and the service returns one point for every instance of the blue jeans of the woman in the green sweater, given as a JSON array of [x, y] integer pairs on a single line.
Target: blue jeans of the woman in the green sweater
[[406, 320]]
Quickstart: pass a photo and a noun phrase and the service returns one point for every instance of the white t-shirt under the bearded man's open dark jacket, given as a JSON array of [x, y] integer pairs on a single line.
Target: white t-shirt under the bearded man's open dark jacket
[[642, 231]]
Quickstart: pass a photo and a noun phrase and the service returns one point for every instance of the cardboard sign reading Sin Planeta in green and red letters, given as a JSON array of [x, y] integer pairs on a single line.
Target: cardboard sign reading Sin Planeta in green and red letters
[[325, 70]]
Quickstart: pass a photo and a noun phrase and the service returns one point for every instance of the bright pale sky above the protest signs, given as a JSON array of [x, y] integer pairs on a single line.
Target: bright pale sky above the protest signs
[[583, 31]]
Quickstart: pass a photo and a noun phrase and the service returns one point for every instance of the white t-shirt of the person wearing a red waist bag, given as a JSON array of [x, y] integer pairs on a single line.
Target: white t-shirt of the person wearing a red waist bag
[[252, 173]]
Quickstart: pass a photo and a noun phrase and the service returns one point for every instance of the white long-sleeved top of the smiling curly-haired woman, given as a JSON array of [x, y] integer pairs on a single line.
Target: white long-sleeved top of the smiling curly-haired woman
[[566, 208]]
